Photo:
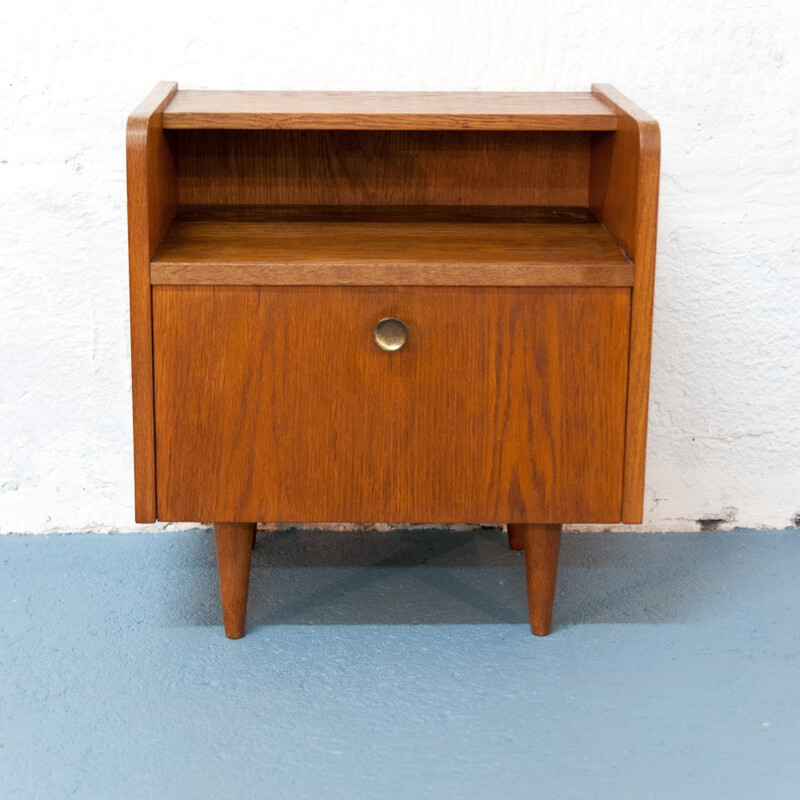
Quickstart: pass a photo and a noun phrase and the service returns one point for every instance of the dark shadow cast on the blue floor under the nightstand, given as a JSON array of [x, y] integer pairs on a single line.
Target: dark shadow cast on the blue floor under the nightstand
[[469, 577]]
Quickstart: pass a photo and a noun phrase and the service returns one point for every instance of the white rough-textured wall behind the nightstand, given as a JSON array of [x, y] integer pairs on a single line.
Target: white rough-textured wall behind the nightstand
[[723, 79]]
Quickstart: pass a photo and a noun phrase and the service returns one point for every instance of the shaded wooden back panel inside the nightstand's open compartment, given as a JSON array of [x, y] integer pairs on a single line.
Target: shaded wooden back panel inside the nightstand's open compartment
[[390, 168]]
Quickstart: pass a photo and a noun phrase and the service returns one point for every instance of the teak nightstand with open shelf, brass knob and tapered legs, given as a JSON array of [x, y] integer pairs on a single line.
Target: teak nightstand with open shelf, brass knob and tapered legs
[[398, 307]]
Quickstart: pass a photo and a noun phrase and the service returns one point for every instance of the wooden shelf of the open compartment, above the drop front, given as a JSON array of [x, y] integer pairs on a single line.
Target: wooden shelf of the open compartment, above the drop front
[[541, 248]]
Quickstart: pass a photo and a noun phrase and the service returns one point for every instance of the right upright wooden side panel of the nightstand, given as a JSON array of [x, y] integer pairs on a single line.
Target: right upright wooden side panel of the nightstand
[[624, 194]]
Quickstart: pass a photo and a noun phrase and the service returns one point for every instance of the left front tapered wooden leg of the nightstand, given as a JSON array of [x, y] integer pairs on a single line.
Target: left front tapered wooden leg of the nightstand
[[234, 547]]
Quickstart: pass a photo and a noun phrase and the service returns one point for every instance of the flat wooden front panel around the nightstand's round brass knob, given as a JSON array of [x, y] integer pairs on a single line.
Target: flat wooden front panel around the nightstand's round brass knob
[[276, 404]]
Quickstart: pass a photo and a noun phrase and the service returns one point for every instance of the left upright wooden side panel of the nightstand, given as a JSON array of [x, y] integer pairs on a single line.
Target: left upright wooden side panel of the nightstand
[[152, 198]]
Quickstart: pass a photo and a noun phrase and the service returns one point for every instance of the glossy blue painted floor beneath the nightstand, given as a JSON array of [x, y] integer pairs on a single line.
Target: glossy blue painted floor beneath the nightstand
[[400, 665]]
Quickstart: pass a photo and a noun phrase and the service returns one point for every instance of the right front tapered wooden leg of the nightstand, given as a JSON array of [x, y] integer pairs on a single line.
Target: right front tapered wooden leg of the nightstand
[[541, 543]]
